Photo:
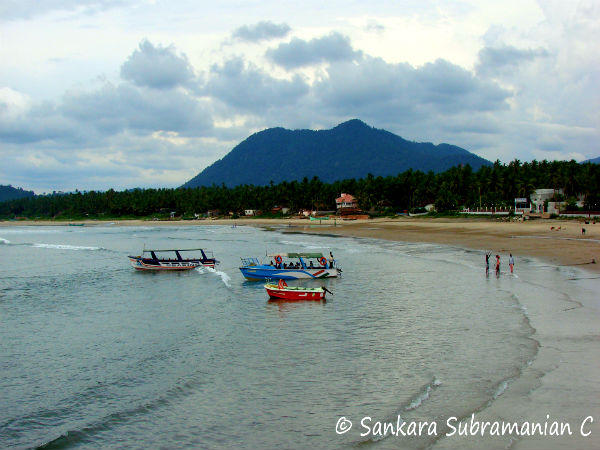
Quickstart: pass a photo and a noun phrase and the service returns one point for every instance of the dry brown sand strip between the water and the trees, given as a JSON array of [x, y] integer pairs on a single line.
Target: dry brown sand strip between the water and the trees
[[559, 242]]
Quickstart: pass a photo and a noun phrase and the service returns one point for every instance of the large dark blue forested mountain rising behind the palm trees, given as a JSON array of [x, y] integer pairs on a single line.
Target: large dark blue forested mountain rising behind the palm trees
[[350, 150]]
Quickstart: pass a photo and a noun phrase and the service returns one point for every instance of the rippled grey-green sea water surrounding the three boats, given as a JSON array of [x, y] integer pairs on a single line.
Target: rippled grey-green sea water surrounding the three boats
[[95, 355]]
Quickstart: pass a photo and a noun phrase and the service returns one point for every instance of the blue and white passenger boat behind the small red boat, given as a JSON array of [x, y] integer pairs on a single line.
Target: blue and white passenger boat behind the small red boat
[[290, 266]]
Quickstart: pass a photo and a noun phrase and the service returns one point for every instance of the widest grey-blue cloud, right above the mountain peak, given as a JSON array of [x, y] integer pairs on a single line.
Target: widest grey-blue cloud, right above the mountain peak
[[400, 89]]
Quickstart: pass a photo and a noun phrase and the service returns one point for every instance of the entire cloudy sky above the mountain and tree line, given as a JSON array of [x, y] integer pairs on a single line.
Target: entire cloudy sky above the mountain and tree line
[[99, 94]]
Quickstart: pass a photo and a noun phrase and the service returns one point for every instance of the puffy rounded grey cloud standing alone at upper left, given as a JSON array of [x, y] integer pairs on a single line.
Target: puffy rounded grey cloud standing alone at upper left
[[157, 67]]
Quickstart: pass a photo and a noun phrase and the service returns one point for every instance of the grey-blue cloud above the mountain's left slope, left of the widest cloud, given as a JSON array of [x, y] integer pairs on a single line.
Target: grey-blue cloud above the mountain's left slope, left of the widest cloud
[[251, 89]]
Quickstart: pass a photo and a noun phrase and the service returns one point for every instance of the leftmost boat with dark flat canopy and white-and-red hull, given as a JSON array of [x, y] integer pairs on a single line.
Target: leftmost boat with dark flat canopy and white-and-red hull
[[155, 260]]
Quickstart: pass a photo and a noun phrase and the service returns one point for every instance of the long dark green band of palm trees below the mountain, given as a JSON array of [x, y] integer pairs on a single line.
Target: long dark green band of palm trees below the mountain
[[490, 186]]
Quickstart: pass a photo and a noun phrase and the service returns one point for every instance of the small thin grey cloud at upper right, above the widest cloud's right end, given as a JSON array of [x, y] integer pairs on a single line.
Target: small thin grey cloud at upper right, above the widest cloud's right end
[[494, 60]]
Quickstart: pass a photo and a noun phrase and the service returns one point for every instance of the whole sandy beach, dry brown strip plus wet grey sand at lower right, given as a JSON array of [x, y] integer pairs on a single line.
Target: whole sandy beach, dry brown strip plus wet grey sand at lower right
[[561, 383]]
